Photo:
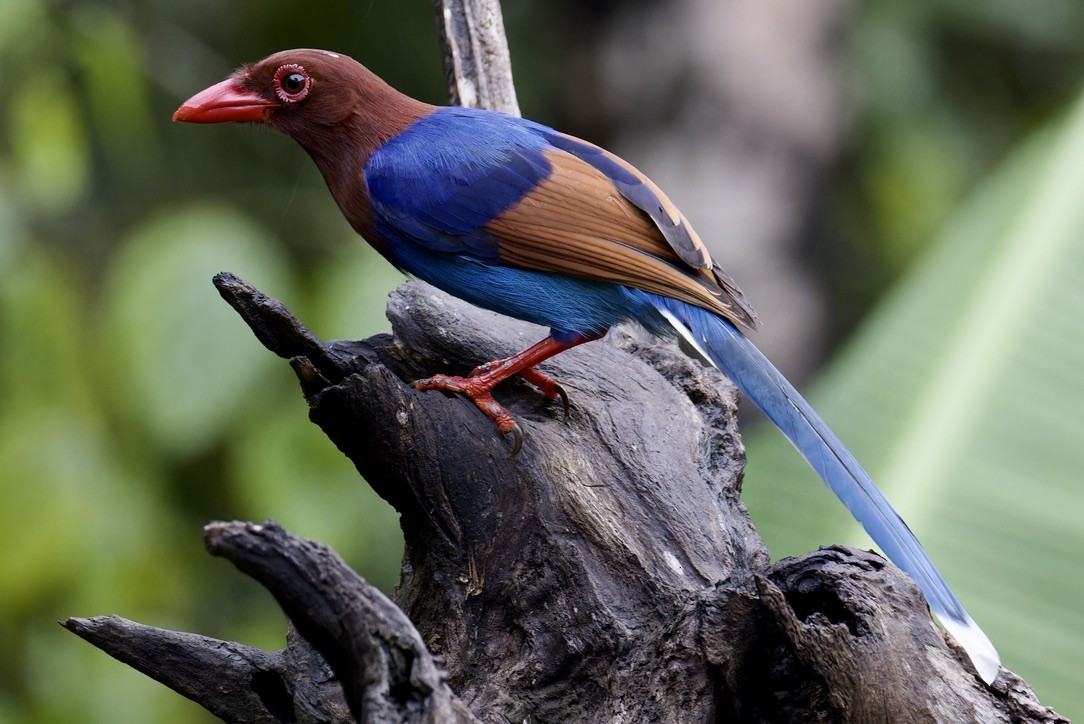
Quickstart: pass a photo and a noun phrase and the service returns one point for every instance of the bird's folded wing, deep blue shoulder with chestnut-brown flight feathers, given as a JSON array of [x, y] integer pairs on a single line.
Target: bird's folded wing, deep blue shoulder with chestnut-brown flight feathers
[[506, 191]]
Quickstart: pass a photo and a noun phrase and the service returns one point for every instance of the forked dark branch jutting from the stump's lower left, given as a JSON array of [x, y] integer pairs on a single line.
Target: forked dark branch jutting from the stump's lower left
[[380, 671]]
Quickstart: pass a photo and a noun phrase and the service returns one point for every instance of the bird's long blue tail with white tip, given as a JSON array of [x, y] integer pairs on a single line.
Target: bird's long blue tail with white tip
[[722, 345]]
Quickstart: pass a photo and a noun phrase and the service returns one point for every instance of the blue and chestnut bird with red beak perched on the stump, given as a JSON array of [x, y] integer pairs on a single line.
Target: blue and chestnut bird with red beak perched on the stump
[[524, 221]]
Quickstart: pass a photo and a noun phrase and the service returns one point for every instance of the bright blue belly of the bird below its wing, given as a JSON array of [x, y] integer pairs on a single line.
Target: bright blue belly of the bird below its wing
[[569, 306]]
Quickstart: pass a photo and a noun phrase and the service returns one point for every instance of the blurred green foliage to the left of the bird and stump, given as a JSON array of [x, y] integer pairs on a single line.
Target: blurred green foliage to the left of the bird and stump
[[135, 407]]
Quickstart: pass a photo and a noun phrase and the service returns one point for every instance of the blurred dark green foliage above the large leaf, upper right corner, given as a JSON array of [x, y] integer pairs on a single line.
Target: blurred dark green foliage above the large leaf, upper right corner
[[944, 93]]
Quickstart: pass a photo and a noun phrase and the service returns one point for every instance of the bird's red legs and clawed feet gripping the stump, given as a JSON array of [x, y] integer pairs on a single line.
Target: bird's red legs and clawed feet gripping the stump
[[481, 384]]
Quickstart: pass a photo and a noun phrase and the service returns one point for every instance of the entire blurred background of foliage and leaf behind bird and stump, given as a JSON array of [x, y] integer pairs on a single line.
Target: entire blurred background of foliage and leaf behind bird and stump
[[899, 188]]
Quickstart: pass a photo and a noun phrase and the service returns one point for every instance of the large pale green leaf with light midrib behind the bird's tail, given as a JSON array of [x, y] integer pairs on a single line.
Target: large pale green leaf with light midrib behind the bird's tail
[[963, 396]]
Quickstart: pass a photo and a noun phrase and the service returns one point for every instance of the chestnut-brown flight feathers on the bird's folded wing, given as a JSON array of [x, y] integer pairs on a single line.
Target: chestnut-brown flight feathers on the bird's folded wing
[[576, 223]]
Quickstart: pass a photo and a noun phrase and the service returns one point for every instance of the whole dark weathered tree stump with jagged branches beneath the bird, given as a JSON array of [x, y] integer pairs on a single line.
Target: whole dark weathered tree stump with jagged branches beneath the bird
[[609, 573]]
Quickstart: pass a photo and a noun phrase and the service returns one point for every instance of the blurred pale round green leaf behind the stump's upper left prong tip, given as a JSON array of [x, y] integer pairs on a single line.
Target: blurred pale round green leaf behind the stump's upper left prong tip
[[179, 360]]
